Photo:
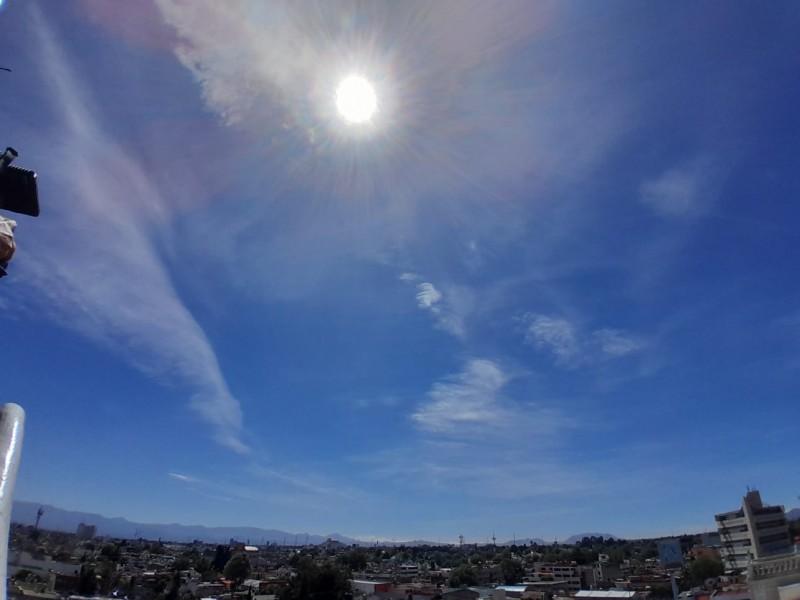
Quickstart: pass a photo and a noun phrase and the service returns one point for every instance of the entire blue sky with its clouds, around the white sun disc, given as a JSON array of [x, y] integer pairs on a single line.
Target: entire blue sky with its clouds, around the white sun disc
[[551, 287]]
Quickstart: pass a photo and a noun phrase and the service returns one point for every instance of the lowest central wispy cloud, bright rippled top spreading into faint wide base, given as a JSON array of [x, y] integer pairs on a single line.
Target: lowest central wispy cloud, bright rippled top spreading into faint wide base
[[472, 435]]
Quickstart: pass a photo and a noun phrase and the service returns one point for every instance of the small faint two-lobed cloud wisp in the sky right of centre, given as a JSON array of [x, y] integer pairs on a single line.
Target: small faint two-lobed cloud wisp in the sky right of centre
[[571, 346]]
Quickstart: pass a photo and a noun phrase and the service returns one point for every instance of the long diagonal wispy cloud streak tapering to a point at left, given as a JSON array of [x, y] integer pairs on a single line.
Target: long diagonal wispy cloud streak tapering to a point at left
[[100, 271]]
